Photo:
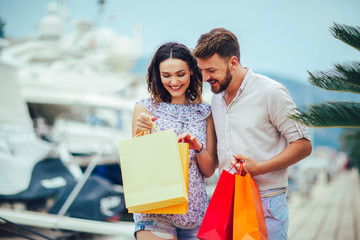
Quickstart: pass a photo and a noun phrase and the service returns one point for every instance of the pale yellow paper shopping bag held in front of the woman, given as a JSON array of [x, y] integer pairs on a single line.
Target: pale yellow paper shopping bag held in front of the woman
[[152, 172]]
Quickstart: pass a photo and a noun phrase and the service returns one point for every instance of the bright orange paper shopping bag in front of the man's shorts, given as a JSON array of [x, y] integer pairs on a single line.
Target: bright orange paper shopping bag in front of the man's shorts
[[249, 221]]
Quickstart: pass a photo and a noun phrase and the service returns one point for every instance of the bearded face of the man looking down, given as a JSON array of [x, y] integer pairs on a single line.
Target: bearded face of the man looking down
[[216, 72]]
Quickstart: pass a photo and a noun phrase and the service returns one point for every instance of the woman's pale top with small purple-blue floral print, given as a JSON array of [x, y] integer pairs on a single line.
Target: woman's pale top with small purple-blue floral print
[[183, 118]]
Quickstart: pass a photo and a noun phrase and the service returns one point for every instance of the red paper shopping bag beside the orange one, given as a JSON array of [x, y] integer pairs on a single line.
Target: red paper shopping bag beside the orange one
[[218, 220]]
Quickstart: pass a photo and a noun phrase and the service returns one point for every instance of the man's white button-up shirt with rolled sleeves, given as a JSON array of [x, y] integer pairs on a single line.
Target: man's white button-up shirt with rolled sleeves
[[256, 125]]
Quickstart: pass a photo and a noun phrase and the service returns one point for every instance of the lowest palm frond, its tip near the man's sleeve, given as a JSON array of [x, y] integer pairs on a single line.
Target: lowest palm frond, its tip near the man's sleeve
[[329, 114]]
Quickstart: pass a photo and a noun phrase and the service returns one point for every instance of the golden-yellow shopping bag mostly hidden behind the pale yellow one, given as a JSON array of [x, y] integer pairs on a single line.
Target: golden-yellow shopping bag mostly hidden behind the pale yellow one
[[179, 208]]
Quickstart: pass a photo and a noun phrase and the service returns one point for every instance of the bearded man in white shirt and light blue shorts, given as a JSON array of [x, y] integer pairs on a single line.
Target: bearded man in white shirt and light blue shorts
[[250, 113]]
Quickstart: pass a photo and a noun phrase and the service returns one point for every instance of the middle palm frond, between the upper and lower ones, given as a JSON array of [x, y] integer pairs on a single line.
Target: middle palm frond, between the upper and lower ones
[[345, 78]]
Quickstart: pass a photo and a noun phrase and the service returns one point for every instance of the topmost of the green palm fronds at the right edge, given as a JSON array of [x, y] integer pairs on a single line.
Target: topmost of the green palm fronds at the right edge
[[348, 34]]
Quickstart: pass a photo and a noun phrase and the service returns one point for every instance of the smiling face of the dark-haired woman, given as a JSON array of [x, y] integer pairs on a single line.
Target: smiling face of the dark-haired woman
[[175, 76]]
